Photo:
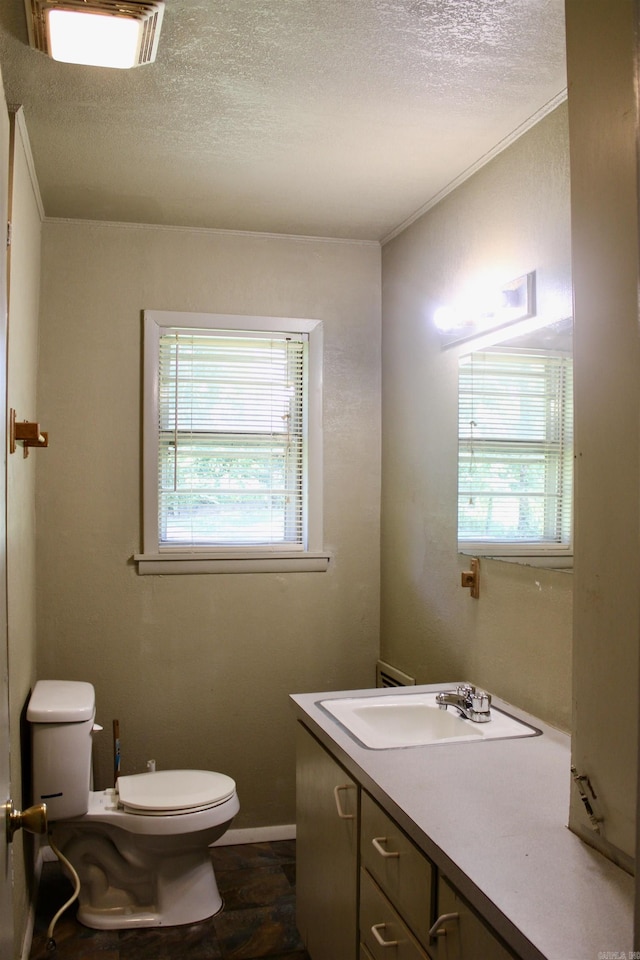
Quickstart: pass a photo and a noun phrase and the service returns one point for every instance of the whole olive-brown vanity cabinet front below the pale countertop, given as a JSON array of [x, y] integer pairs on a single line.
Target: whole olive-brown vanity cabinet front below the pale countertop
[[363, 888]]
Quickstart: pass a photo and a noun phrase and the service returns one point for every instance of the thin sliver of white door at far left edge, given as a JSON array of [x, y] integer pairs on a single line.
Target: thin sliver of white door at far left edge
[[6, 913]]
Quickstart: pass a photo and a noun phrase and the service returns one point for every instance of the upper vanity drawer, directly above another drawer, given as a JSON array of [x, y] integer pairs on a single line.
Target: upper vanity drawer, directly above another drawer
[[400, 869]]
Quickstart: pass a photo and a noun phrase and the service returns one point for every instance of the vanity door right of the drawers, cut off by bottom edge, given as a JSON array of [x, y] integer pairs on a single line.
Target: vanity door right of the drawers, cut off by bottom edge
[[464, 936]]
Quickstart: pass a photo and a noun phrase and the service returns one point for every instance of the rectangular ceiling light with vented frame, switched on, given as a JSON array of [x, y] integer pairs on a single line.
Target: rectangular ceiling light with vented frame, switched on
[[98, 33]]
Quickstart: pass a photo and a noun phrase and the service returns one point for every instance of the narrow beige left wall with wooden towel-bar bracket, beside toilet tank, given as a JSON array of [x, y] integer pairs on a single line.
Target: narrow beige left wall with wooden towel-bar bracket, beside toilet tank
[[21, 477]]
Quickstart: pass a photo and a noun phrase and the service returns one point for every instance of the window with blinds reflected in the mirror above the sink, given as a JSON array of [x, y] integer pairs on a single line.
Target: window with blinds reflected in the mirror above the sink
[[515, 452]]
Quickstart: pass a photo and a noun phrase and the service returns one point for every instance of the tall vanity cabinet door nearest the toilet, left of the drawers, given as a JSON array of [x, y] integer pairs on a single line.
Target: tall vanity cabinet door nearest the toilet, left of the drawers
[[326, 853]]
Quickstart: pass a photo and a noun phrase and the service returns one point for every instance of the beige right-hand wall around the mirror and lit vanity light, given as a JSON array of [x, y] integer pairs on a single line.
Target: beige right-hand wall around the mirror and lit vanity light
[[510, 218]]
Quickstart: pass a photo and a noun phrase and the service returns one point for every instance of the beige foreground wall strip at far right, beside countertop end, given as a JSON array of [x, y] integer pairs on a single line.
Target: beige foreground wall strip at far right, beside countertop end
[[603, 113]]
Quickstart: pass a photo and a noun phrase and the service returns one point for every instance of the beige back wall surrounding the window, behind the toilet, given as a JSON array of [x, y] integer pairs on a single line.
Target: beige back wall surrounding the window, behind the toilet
[[198, 668]]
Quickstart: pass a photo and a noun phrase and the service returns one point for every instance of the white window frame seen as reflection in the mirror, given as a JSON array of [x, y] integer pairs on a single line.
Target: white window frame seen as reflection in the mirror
[[552, 553]]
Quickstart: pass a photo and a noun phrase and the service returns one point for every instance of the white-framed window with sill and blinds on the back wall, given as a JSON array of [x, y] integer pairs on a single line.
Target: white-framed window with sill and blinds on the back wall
[[232, 444]]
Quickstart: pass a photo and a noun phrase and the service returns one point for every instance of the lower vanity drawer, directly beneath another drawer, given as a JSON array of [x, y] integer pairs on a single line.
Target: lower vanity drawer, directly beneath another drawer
[[382, 932]]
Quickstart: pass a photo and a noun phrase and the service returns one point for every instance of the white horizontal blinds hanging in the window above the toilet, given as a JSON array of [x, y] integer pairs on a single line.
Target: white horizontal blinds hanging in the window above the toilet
[[232, 438]]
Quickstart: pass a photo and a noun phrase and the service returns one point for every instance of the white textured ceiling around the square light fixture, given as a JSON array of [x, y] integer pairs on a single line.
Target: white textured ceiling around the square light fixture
[[337, 118]]
